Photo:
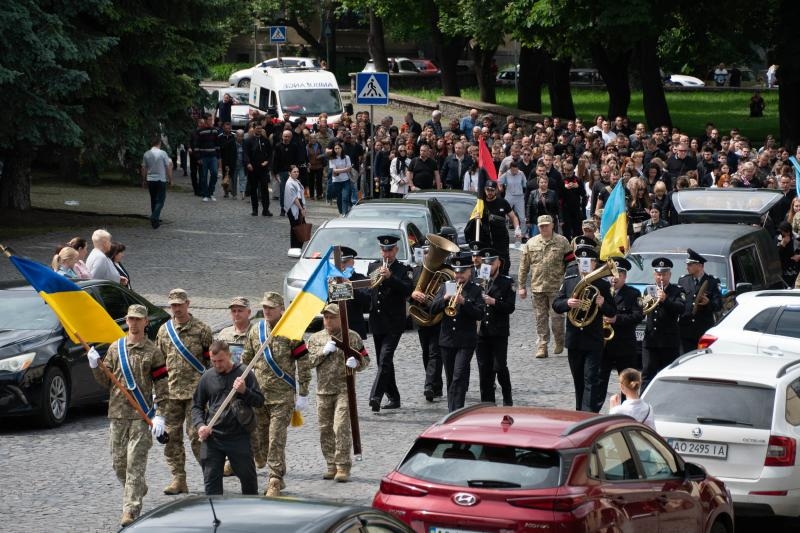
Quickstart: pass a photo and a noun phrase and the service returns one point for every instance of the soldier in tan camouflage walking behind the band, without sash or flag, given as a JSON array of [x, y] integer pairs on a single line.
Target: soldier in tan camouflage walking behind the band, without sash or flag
[[543, 256]]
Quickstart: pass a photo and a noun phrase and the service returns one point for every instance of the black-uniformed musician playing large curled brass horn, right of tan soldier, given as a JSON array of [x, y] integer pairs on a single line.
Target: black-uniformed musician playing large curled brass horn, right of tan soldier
[[585, 344]]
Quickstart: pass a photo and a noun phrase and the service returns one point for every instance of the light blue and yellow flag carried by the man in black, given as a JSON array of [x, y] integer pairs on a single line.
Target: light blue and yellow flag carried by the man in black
[[309, 302]]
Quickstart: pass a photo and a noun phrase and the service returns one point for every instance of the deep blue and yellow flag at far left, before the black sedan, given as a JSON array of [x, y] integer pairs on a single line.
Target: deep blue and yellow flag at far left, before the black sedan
[[83, 318]]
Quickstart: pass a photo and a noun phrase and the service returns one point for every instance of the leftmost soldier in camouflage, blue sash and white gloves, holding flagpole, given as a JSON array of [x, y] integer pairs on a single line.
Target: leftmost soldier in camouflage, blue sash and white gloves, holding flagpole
[[130, 435]]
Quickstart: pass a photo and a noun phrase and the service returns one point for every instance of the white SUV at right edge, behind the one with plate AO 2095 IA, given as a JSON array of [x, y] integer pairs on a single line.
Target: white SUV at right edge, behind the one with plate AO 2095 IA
[[763, 322]]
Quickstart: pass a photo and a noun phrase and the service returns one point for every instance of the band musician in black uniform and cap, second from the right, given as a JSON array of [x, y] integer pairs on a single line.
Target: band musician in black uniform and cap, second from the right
[[662, 340]]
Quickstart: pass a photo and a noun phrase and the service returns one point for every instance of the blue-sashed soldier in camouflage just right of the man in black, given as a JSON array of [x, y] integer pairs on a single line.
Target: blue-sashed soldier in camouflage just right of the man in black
[[274, 417]]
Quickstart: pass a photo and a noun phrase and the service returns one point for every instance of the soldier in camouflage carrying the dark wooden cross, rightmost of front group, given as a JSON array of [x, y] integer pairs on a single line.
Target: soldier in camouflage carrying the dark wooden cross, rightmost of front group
[[335, 437]]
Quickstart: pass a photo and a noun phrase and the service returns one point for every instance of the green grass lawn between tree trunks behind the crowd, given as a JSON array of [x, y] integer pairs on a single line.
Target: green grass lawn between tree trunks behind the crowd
[[689, 110]]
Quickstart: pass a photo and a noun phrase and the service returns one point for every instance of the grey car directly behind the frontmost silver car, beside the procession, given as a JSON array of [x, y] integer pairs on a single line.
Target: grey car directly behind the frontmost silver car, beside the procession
[[427, 214]]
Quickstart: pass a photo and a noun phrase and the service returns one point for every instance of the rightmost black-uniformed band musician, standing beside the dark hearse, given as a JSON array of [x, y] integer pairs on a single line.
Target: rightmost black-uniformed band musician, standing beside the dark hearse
[[698, 318]]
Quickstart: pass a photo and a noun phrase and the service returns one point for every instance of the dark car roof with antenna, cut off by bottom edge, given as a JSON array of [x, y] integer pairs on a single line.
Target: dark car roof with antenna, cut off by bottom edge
[[254, 513]]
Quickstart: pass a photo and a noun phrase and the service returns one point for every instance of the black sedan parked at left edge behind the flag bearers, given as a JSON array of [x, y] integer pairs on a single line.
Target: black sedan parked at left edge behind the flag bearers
[[42, 372]]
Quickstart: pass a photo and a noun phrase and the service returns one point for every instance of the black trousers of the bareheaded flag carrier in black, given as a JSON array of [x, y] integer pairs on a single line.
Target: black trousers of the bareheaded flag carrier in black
[[237, 449]]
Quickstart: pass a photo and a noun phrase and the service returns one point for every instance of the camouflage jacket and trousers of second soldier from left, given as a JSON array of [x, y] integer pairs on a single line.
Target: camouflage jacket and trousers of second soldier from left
[[183, 379]]
